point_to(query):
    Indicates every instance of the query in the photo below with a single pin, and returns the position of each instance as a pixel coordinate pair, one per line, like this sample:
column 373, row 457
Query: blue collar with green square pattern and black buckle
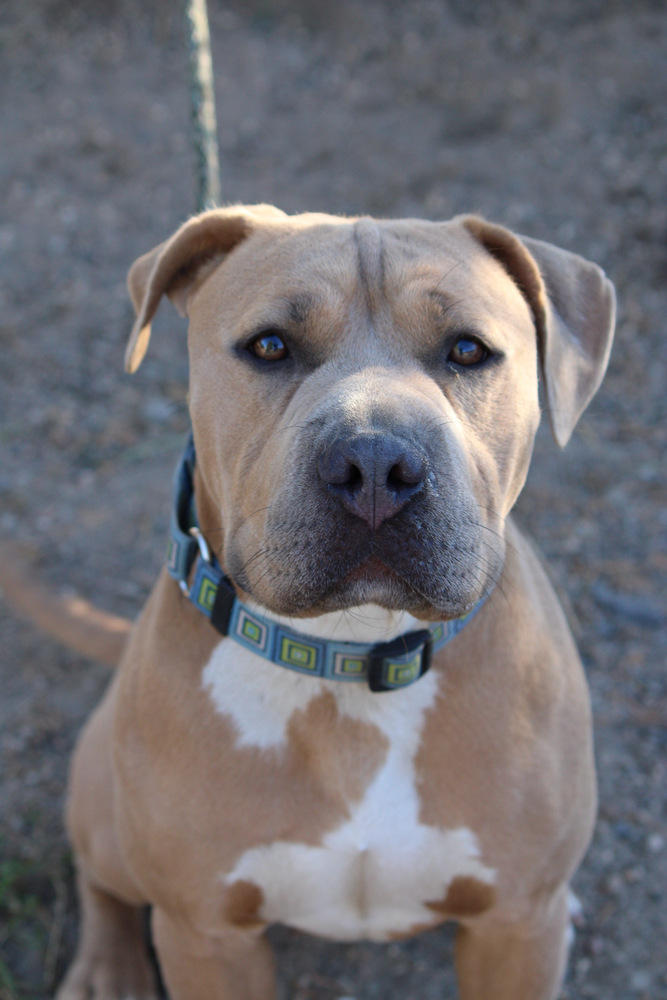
column 384, row 666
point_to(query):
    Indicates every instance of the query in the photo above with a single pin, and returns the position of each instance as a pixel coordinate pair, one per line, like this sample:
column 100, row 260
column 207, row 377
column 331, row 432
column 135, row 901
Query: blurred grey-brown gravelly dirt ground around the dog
column 546, row 116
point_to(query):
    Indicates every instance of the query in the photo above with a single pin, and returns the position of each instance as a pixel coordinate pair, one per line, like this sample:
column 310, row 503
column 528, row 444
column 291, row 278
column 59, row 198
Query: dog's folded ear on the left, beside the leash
column 176, row 267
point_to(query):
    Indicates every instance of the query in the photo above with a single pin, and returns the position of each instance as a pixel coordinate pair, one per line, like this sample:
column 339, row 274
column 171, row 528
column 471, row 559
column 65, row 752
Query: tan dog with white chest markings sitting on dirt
column 364, row 402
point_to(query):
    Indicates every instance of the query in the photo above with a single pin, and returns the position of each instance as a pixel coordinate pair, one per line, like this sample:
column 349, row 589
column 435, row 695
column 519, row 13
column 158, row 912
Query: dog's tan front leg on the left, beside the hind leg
column 237, row 965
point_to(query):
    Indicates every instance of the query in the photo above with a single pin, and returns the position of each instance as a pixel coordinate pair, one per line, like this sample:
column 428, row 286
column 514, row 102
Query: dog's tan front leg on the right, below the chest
column 515, row 961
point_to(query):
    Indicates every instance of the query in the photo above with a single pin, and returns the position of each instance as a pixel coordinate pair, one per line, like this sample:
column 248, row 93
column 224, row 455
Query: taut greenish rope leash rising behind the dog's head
column 205, row 132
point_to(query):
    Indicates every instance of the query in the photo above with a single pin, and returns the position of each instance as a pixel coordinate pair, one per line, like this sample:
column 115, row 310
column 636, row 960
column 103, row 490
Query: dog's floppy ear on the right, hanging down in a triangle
column 573, row 306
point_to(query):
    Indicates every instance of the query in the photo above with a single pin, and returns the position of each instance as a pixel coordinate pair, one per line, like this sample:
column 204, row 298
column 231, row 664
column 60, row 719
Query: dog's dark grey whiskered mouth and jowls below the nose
column 433, row 564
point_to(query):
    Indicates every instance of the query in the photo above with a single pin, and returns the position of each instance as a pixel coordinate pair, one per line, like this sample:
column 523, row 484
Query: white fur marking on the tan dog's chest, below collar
column 374, row 872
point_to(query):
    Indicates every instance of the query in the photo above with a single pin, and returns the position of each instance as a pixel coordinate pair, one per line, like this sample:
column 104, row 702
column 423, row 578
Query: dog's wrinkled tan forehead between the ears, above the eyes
column 413, row 273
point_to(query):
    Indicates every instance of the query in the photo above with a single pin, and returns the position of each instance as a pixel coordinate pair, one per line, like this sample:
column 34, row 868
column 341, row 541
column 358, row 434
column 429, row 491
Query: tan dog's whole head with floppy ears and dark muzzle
column 364, row 395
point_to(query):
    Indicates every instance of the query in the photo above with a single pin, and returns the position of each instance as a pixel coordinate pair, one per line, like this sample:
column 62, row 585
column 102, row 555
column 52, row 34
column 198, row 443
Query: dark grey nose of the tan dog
column 373, row 475
